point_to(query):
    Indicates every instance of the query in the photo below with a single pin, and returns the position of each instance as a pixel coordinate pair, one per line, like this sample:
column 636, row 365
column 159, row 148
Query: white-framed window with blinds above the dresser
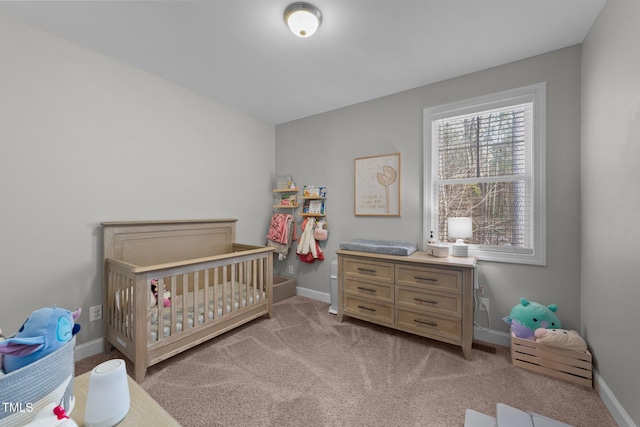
column 484, row 158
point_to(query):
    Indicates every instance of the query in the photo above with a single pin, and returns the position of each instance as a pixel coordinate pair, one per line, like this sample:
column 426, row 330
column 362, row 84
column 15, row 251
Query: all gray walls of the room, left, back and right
column 84, row 139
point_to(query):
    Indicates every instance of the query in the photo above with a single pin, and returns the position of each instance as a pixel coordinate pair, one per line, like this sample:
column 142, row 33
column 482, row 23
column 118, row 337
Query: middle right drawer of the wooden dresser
column 435, row 302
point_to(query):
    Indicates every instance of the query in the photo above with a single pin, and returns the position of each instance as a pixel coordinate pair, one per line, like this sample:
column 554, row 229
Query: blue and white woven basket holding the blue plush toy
column 24, row 392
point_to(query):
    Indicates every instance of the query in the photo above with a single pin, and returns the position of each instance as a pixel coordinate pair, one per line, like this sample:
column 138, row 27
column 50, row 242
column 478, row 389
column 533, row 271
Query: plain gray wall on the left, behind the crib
column 85, row 139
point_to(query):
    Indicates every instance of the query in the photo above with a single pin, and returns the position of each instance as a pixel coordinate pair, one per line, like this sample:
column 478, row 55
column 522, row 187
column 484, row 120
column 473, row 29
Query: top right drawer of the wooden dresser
column 429, row 278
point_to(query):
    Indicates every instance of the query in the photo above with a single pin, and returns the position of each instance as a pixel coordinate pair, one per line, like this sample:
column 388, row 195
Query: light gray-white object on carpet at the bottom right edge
column 508, row 416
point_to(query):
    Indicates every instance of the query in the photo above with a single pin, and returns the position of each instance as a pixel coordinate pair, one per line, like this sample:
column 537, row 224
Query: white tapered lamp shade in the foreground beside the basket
column 108, row 397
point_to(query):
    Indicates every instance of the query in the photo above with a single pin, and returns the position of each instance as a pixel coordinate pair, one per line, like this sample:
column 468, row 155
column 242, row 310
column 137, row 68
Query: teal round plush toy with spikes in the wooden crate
column 528, row 316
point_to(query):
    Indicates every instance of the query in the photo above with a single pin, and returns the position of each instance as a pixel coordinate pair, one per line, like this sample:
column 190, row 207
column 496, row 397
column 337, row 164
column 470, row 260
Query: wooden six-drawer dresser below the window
column 420, row 294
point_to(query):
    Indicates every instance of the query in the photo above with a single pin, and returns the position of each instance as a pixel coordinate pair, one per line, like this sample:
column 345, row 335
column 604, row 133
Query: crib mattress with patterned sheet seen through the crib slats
column 239, row 300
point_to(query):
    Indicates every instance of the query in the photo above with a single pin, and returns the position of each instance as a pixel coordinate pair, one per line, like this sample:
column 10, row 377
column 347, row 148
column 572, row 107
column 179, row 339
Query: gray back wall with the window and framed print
column 320, row 150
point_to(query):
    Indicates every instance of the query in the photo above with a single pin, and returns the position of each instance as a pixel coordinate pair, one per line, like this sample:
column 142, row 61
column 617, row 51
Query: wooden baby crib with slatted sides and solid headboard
column 215, row 286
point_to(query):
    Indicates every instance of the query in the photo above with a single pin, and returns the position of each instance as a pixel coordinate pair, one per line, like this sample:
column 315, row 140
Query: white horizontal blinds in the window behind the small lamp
column 484, row 171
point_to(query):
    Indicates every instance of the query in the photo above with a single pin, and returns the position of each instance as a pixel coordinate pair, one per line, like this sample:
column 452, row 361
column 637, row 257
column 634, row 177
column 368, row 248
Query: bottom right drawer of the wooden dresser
column 429, row 325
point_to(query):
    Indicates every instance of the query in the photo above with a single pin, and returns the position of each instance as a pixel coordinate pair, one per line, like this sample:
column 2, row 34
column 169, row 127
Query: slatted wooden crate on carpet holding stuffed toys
column 568, row 365
